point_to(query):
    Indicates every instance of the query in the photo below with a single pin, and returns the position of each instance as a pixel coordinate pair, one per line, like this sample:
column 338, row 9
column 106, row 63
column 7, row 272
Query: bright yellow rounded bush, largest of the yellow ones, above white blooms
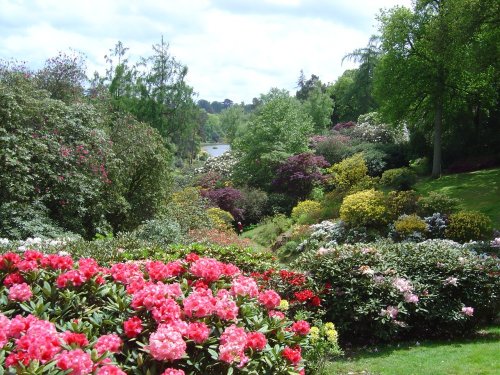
column 365, row 208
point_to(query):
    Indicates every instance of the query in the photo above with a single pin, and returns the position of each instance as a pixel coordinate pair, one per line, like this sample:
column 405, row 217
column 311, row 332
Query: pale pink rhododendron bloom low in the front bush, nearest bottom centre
column 166, row 344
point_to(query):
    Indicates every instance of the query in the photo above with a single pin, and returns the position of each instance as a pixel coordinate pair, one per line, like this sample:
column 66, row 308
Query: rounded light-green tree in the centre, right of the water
column 280, row 129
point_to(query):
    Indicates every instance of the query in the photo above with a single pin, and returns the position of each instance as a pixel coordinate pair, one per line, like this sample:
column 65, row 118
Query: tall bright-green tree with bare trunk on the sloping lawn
column 428, row 72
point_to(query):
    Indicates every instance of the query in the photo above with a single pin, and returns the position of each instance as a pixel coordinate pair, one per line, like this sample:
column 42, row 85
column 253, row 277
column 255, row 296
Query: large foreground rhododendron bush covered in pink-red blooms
column 190, row 316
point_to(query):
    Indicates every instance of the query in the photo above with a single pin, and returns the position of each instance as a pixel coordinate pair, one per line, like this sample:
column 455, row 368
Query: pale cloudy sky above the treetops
column 235, row 49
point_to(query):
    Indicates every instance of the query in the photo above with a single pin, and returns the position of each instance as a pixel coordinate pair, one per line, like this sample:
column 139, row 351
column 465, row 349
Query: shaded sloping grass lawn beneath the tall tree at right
column 478, row 191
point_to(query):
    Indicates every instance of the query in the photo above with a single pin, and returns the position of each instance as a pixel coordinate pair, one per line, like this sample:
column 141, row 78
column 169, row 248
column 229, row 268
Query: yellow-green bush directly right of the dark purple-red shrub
column 349, row 172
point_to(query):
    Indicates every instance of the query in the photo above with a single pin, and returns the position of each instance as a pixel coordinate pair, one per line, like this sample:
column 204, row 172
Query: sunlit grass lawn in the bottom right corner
column 477, row 355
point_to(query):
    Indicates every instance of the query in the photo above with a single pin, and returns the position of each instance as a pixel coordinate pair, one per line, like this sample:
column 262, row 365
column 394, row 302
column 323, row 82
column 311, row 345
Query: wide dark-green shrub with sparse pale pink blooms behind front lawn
column 425, row 286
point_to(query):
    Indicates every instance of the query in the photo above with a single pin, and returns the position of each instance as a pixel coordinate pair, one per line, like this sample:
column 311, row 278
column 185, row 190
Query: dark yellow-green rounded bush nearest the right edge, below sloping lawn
column 468, row 225
